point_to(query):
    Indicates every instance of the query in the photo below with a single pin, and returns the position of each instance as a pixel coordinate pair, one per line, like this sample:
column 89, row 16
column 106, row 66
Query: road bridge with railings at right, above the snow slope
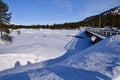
column 101, row 33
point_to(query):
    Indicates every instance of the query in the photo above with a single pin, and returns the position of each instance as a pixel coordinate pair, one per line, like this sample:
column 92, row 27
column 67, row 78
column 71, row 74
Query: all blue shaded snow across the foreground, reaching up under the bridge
column 81, row 61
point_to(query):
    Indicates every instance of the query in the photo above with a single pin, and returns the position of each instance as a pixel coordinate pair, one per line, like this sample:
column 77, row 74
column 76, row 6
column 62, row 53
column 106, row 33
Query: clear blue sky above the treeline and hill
column 29, row 12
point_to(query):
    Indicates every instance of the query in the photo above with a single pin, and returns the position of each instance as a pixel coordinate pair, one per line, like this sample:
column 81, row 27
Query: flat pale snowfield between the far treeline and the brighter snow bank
column 39, row 42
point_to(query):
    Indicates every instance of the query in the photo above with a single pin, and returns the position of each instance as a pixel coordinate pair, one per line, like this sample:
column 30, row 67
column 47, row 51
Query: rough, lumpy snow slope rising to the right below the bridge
column 102, row 57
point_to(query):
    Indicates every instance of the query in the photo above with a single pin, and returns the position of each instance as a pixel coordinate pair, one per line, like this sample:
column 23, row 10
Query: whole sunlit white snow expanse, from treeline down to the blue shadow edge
column 34, row 45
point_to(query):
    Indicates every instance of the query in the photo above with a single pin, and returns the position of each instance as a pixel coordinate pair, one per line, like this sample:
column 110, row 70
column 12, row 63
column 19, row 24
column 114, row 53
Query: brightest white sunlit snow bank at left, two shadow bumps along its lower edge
column 9, row 60
